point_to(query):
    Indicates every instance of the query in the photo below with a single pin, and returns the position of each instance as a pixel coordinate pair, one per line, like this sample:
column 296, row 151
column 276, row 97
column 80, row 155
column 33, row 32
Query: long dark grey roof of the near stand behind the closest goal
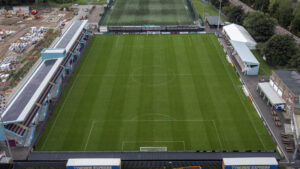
column 146, row 156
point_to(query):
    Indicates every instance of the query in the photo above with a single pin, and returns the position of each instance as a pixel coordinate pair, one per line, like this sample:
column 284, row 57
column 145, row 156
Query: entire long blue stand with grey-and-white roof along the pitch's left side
column 29, row 105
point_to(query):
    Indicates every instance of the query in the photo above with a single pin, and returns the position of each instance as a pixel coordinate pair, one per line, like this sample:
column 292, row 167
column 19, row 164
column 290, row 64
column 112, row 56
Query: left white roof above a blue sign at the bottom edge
column 94, row 162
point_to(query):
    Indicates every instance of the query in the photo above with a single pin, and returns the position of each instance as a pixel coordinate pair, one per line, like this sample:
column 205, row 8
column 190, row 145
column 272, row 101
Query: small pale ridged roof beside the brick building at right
column 270, row 93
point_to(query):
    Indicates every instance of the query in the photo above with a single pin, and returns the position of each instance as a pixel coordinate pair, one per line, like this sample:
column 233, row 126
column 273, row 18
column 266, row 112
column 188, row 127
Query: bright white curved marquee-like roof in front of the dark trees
column 239, row 33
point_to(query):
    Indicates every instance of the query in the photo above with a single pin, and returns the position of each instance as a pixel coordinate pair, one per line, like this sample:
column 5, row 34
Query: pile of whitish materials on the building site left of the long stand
column 29, row 39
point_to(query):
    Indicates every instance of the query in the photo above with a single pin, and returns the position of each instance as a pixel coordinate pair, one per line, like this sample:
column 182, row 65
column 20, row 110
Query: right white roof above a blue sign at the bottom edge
column 250, row 161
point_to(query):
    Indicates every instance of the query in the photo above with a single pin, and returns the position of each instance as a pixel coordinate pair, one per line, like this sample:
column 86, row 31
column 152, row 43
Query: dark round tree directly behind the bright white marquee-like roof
column 236, row 14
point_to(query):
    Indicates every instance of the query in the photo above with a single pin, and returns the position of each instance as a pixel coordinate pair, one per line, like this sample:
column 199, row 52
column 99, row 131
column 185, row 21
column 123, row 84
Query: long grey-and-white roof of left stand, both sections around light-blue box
column 21, row 104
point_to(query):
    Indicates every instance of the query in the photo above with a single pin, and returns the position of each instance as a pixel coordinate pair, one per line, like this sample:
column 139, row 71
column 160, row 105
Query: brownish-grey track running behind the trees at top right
column 278, row 29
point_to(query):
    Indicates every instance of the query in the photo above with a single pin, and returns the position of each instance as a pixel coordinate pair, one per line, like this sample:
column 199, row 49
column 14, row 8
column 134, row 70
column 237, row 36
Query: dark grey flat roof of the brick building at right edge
column 291, row 78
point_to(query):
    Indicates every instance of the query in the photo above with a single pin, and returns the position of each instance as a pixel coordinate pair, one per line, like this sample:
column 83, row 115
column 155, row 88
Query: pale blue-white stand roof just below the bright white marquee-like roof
column 244, row 52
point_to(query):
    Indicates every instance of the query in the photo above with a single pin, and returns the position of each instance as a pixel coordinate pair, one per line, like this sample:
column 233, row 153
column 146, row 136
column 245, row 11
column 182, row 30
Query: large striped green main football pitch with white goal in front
column 173, row 91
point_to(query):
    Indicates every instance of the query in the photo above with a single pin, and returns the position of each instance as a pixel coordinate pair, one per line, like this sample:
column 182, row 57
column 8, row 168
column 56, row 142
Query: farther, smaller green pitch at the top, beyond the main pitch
column 148, row 12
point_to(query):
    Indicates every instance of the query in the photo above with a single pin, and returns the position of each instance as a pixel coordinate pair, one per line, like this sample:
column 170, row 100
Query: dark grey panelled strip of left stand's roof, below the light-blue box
column 19, row 104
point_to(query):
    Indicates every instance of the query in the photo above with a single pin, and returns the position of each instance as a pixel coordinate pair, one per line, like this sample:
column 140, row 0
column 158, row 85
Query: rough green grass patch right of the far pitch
column 203, row 9
